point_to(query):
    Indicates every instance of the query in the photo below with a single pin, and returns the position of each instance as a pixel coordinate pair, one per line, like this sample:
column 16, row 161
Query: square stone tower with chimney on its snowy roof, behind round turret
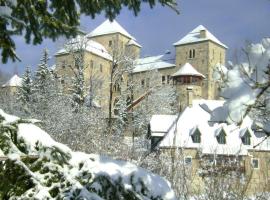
column 204, row 51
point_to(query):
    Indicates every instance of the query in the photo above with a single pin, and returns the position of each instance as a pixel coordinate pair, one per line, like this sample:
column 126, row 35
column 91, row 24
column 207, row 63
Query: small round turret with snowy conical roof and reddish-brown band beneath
column 188, row 82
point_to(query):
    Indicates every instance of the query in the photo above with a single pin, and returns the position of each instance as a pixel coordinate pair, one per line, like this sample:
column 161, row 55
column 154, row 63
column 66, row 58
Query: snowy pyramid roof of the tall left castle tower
column 108, row 27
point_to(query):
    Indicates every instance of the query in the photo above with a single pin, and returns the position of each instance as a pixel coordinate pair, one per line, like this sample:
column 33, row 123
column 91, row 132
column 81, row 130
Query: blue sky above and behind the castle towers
column 231, row 21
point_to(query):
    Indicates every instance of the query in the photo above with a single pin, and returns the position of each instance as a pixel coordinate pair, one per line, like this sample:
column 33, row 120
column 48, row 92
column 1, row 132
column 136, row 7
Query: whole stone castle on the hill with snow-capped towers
column 196, row 54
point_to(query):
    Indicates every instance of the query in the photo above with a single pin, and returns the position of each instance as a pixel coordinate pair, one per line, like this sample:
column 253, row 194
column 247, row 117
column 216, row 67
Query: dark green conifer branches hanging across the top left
column 41, row 19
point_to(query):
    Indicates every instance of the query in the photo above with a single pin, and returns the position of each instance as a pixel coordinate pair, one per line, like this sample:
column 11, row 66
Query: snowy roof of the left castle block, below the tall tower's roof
column 81, row 42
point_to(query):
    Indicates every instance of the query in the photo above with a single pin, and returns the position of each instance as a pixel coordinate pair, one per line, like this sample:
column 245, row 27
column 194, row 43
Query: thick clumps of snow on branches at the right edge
column 246, row 86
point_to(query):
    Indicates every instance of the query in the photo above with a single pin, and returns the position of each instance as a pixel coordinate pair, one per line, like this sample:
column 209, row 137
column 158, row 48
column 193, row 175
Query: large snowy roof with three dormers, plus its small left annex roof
column 197, row 117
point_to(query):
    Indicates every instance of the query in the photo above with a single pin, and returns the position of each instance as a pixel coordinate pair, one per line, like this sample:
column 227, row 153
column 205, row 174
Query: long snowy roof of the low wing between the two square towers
column 151, row 63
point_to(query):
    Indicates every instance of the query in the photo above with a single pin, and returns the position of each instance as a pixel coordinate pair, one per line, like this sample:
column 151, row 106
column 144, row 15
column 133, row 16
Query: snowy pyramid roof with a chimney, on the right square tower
column 194, row 36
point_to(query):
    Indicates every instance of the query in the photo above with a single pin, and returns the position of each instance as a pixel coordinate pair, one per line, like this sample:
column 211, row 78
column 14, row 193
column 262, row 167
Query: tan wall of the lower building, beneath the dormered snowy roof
column 196, row 173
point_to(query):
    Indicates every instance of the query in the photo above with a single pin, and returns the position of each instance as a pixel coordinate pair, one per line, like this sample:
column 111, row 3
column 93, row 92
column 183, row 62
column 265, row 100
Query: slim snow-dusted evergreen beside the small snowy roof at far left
column 25, row 91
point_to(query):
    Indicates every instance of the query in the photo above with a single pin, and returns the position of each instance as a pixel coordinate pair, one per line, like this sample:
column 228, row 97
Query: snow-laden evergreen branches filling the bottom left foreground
column 34, row 166
